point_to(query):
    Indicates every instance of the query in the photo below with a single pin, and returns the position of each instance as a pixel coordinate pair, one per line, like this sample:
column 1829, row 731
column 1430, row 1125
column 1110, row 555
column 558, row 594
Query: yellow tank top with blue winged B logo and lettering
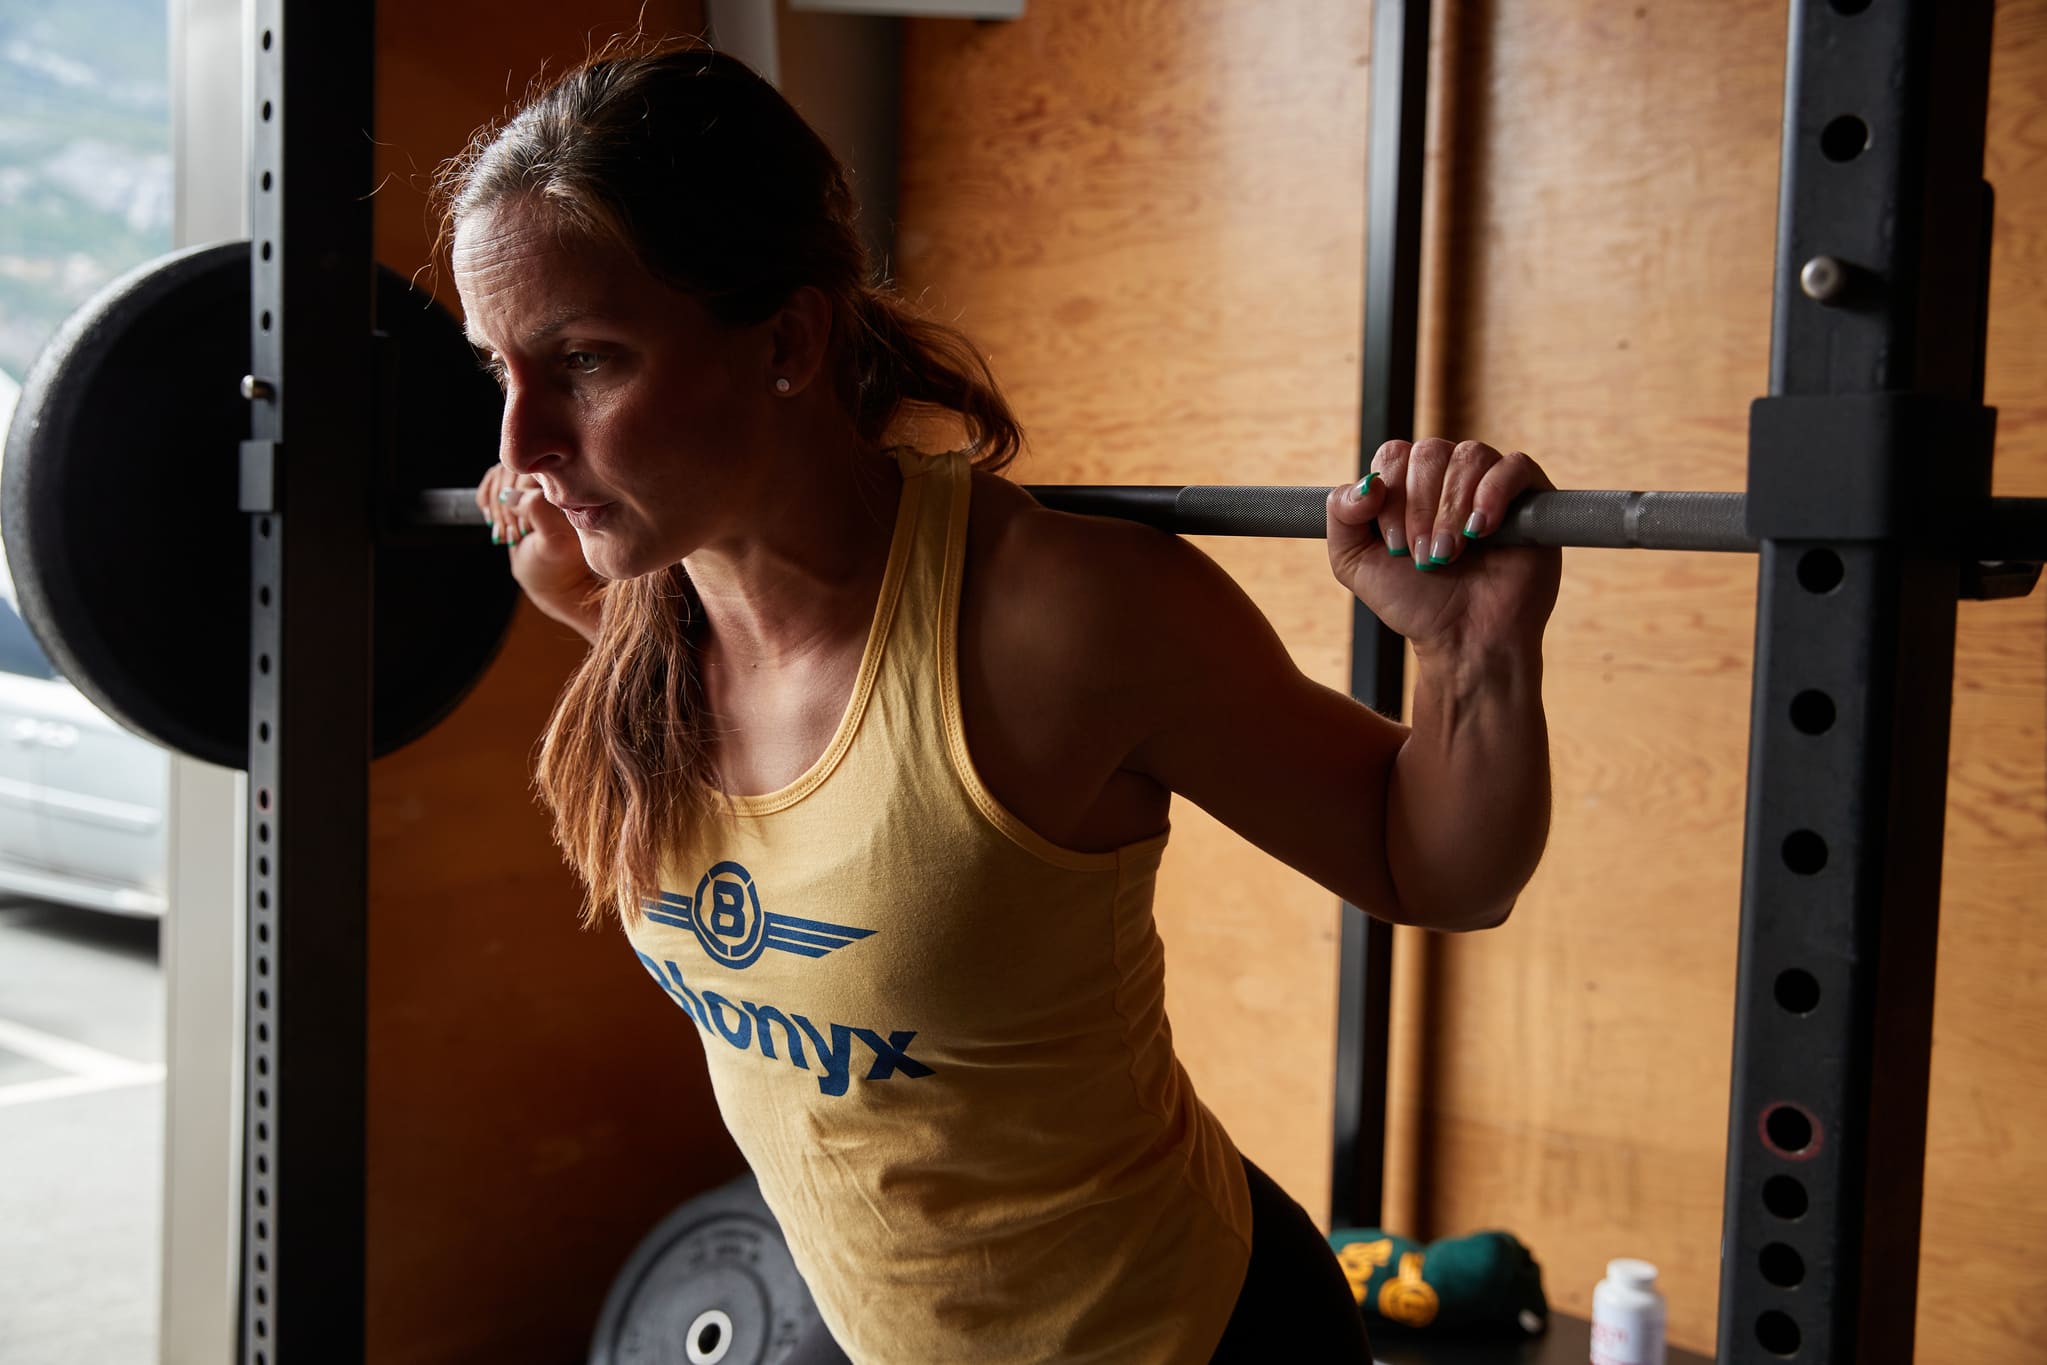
column 941, row 1041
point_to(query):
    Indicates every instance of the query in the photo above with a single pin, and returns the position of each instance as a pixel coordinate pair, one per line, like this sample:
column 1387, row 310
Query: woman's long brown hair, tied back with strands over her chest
column 720, row 187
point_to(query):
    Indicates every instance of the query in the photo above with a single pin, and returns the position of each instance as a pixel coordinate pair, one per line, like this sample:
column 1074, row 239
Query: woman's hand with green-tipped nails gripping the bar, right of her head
column 1413, row 545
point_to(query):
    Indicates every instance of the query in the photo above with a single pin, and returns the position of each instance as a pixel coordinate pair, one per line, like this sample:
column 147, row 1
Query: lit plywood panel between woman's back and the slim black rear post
column 1151, row 216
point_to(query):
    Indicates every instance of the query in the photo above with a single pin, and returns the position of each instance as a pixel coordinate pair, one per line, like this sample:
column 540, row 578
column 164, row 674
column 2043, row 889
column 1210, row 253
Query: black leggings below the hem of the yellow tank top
column 1295, row 1305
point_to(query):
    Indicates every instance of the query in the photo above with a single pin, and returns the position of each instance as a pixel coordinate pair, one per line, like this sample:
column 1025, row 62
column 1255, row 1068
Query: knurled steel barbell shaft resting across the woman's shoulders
column 1583, row 519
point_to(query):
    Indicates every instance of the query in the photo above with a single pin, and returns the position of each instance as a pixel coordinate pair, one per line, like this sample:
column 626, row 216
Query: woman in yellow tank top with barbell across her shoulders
column 873, row 756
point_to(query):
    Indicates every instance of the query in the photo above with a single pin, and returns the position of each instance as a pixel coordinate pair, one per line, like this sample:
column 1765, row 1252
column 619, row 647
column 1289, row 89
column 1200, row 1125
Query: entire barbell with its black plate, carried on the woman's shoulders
column 128, row 537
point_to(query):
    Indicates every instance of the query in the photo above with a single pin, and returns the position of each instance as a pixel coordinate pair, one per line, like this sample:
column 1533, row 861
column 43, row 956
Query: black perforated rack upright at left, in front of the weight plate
column 306, row 482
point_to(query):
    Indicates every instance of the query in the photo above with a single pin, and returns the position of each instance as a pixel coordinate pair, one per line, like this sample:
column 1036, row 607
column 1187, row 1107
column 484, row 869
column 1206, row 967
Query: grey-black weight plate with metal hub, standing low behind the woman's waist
column 711, row 1286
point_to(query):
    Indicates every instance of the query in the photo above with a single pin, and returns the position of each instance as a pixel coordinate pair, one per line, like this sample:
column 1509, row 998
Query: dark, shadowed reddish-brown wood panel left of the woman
column 535, row 1104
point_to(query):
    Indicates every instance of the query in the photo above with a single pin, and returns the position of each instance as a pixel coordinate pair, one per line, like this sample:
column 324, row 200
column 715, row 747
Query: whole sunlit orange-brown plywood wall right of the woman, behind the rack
column 1151, row 218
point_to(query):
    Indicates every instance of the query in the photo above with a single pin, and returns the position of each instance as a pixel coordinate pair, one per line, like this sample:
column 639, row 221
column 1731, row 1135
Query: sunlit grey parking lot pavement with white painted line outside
column 81, row 1137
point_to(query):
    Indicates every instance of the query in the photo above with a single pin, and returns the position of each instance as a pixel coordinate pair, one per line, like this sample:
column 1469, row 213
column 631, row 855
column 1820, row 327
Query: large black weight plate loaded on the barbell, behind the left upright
column 122, row 523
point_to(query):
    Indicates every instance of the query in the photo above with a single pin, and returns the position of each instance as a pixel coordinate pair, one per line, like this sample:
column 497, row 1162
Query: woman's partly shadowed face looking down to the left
column 634, row 408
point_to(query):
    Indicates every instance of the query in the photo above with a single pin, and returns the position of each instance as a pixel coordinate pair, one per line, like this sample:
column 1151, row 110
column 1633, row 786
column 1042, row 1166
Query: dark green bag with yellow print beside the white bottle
column 1485, row 1282
